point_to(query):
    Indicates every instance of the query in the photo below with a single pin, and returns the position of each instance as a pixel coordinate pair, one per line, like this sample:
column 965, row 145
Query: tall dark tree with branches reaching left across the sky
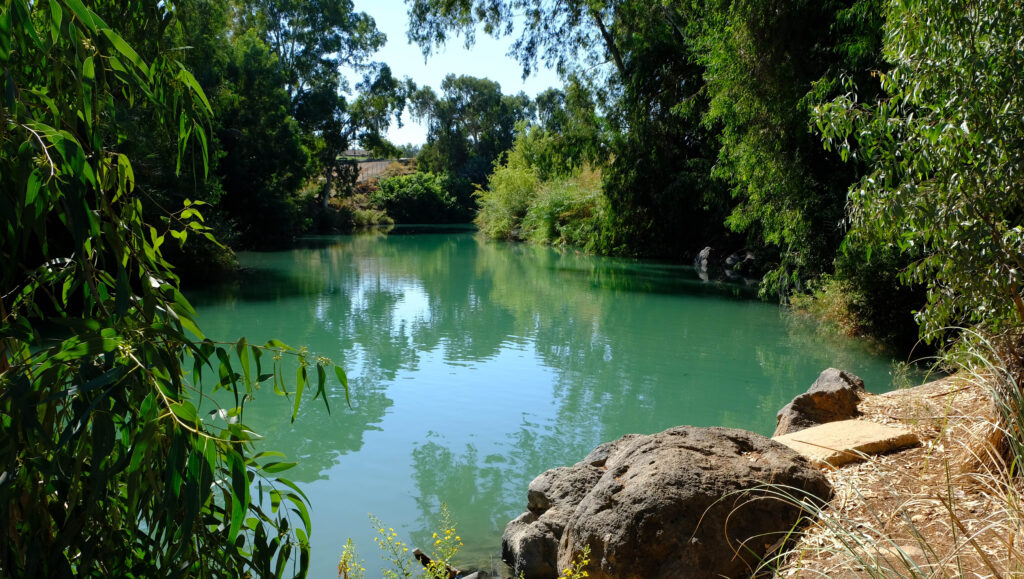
column 638, row 61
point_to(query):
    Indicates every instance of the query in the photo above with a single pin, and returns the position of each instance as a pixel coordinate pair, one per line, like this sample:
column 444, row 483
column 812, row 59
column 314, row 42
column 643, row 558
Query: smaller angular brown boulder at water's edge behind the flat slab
column 833, row 397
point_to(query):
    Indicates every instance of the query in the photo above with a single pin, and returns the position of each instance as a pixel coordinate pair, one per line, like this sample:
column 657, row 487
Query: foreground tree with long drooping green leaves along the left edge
column 110, row 464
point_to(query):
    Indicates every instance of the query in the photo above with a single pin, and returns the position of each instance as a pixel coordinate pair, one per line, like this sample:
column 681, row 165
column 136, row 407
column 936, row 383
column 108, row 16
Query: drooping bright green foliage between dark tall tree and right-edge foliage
column 764, row 64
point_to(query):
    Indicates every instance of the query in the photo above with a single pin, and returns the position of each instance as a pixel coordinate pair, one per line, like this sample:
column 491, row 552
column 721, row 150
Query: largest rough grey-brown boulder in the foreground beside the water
column 687, row 503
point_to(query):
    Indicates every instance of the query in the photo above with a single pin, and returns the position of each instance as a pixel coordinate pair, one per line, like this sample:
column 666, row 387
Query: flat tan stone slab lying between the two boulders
column 847, row 441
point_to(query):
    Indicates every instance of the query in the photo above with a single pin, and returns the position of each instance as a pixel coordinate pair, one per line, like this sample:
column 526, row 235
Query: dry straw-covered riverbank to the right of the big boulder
column 946, row 509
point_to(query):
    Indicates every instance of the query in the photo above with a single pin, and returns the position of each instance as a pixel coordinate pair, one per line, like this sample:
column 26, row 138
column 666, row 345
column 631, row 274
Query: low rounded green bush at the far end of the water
column 419, row 198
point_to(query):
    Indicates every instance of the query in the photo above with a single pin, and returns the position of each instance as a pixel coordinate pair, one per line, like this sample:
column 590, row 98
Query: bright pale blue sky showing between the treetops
column 487, row 60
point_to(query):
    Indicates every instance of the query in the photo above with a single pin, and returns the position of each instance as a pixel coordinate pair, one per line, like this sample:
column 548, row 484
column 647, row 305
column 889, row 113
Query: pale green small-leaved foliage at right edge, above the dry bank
column 945, row 151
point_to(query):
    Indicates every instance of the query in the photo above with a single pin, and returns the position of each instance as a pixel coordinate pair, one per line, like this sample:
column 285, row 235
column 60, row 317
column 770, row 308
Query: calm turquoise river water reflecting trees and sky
column 477, row 365
